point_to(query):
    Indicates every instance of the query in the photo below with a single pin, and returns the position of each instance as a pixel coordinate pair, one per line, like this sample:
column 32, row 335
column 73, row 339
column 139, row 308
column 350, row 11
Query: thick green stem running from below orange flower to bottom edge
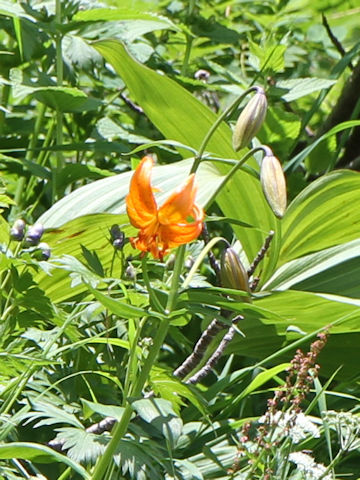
column 121, row 427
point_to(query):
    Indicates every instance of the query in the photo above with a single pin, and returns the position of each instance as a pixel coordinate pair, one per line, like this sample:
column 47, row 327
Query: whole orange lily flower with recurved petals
column 177, row 221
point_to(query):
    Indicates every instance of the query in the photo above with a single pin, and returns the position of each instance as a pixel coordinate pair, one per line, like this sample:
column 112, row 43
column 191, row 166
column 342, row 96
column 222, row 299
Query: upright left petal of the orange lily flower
column 141, row 204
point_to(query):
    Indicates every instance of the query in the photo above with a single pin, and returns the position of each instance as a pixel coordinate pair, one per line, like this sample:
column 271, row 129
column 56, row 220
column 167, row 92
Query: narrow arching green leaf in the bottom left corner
column 39, row 453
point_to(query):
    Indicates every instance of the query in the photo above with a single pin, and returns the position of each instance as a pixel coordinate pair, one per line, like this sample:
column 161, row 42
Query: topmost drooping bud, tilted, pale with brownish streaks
column 250, row 120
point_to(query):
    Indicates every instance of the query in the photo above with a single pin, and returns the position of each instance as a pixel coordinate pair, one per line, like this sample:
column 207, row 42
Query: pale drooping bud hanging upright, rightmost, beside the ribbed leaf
column 273, row 184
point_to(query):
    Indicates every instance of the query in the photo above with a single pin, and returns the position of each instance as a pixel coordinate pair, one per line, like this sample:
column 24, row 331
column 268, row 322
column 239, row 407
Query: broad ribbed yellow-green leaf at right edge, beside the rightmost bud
column 323, row 215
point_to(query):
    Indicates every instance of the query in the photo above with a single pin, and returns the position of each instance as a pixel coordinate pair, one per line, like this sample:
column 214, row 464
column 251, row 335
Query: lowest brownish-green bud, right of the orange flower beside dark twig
column 233, row 274
